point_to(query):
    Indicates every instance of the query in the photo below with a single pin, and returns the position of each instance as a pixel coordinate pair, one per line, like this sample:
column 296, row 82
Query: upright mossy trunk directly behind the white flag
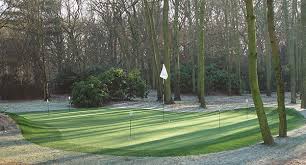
column 167, row 85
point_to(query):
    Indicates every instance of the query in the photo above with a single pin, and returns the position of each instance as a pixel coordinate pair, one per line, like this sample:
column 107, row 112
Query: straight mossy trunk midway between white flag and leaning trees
column 201, row 74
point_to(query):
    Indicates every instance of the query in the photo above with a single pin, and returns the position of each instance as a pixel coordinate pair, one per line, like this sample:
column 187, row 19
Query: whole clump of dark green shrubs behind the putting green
column 114, row 84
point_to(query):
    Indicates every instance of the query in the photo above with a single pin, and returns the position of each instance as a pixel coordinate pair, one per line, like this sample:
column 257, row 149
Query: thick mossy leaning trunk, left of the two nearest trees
column 253, row 77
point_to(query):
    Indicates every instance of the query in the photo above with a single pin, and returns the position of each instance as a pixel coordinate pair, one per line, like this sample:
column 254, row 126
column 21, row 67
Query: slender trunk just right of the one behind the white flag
column 176, row 55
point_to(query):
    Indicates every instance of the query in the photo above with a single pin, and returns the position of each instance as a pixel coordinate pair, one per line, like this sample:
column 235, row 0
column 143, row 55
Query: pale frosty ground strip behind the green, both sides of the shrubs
column 188, row 104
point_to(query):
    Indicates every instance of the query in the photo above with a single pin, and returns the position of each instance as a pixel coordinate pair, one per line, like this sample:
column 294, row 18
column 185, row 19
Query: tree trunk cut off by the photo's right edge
column 303, row 17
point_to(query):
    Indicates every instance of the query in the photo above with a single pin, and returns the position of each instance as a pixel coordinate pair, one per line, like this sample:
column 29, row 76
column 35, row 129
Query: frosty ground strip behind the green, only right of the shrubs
column 189, row 103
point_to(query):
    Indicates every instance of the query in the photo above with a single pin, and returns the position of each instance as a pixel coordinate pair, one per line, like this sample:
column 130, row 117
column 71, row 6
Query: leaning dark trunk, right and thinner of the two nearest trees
column 278, row 71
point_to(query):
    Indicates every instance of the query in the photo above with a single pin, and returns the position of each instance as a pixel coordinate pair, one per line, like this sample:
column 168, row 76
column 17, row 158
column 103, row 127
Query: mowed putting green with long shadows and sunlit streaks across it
column 107, row 131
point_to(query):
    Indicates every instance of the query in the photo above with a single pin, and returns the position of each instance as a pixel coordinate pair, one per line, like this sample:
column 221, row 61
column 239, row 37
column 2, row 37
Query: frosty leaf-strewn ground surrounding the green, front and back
column 292, row 150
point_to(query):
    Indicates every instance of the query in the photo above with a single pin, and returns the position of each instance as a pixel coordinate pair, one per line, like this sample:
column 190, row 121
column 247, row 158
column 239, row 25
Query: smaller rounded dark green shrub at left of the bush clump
column 89, row 93
